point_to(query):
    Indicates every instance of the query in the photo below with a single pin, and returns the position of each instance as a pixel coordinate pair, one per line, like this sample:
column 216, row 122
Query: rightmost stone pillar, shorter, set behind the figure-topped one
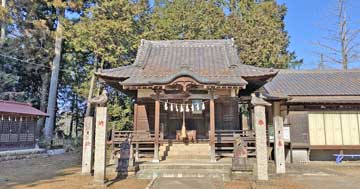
column 278, row 139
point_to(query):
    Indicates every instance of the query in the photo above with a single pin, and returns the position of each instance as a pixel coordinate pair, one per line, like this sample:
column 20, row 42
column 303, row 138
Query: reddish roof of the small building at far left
column 19, row 108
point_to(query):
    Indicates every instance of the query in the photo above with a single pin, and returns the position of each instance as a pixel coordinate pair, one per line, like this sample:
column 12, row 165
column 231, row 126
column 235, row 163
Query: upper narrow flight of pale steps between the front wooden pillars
column 184, row 151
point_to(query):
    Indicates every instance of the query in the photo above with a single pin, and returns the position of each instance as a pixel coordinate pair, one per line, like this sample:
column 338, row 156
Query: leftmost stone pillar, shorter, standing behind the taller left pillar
column 88, row 142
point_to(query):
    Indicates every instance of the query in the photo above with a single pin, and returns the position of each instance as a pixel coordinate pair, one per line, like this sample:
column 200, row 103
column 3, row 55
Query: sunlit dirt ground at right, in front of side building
column 314, row 175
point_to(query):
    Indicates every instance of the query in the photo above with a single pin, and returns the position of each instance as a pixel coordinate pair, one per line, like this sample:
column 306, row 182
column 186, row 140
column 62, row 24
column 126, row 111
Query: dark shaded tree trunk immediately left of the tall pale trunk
column 44, row 94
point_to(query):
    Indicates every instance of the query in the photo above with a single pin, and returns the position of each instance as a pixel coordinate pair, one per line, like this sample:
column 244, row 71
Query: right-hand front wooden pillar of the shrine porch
column 212, row 128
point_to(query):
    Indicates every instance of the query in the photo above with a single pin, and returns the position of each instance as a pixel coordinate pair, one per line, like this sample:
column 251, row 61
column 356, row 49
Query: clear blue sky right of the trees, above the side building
column 306, row 22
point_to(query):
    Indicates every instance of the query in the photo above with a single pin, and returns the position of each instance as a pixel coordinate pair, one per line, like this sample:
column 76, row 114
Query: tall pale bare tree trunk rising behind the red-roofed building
column 55, row 68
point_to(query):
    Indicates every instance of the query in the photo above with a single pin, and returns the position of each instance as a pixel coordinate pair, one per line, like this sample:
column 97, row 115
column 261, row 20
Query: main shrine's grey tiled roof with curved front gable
column 208, row 61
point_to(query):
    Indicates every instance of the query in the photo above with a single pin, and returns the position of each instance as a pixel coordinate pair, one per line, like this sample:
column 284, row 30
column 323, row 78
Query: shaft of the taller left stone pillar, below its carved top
column 100, row 145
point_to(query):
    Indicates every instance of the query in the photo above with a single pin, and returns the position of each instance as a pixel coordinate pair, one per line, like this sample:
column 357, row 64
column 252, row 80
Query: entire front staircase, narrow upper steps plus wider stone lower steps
column 185, row 161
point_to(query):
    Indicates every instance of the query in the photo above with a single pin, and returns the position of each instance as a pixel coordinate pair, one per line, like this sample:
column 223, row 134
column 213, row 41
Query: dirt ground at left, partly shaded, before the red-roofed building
column 55, row 172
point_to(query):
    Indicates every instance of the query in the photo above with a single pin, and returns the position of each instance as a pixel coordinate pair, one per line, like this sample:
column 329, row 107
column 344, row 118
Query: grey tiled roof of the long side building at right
column 315, row 83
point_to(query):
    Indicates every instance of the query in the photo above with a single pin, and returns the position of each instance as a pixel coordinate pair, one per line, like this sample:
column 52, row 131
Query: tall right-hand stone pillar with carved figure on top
column 260, row 132
